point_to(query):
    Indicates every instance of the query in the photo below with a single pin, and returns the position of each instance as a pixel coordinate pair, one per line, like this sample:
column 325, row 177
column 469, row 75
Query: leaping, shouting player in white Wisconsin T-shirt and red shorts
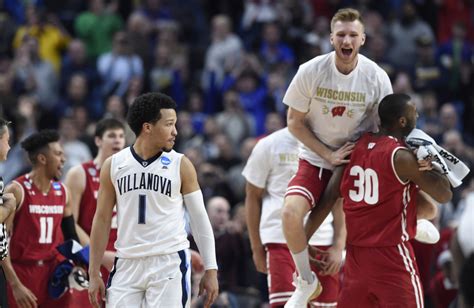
column 332, row 100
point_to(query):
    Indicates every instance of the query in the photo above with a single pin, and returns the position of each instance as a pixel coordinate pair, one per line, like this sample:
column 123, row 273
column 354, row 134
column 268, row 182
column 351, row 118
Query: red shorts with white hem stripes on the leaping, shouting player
column 309, row 182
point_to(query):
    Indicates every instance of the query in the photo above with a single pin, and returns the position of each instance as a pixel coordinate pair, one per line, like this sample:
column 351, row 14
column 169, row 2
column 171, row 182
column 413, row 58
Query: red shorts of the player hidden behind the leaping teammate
column 280, row 277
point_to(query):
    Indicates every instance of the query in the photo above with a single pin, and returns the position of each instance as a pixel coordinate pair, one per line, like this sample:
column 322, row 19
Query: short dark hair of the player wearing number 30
column 391, row 108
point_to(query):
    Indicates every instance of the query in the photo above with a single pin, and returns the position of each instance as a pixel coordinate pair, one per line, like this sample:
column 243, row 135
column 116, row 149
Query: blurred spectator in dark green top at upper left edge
column 96, row 27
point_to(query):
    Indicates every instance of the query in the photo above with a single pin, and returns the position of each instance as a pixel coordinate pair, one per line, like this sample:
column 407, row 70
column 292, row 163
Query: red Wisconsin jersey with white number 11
column 37, row 225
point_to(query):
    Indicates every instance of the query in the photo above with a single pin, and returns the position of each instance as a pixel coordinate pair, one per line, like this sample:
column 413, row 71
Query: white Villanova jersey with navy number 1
column 150, row 208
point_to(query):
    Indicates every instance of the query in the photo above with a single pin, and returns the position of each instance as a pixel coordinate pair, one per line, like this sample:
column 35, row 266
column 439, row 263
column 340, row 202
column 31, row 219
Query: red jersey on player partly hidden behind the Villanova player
column 89, row 202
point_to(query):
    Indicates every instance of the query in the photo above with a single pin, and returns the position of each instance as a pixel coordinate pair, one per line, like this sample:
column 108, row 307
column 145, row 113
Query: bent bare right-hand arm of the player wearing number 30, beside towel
column 433, row 183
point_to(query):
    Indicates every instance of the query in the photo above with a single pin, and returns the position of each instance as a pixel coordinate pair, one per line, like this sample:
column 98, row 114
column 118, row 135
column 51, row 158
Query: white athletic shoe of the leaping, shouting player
column 304, row 292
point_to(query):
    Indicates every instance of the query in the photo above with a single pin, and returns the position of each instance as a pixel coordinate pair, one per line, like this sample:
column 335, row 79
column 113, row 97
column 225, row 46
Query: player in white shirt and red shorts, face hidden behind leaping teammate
column 269, row 168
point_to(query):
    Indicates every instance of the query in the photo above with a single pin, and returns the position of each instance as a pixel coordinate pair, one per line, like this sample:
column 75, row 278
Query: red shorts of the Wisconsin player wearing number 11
column 35, row 276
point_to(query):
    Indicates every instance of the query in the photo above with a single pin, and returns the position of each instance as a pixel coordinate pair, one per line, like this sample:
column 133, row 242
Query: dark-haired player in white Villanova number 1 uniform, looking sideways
column 150, row 183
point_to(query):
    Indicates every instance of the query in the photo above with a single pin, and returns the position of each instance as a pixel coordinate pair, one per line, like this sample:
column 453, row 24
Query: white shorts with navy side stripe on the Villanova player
column 155, row 281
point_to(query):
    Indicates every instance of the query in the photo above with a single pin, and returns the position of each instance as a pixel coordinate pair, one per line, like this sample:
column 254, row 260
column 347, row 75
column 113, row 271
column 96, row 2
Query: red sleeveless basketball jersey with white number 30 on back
column 380, row 209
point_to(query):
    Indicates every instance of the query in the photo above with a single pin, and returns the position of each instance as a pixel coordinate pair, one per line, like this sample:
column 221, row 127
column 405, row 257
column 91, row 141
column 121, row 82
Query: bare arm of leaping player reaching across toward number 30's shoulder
column 299, row 128
